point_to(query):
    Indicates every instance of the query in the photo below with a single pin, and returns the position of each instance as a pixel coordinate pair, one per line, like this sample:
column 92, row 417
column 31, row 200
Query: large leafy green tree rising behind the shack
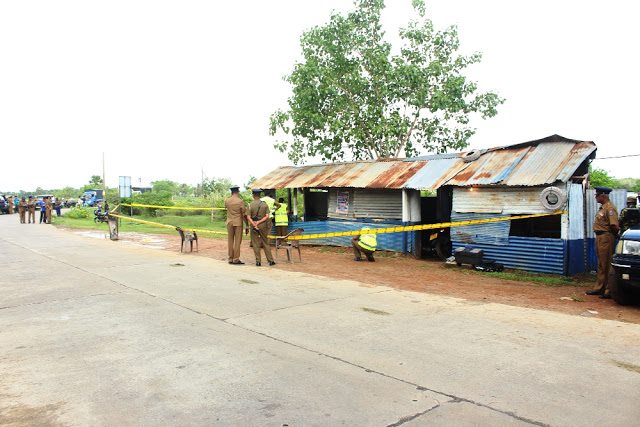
column 351, row 95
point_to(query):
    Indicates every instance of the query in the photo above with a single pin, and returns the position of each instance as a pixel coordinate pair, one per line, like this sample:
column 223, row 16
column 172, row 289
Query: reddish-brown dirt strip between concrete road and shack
column 407, row 273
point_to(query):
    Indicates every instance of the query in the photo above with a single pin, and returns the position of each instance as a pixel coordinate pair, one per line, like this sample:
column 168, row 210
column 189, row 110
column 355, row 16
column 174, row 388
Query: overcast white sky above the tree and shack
column 177, row 90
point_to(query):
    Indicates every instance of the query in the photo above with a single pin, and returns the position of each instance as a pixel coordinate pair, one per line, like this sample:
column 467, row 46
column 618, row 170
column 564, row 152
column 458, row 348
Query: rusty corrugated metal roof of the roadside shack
column 534, row 163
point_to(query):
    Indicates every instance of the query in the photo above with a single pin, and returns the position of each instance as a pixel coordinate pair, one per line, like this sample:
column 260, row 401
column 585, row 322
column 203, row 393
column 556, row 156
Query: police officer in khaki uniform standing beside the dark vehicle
column 605, row 227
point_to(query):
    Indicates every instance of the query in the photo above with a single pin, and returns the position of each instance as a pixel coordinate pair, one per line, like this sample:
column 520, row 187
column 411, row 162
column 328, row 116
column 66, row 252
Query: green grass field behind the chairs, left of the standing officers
column 200, row 222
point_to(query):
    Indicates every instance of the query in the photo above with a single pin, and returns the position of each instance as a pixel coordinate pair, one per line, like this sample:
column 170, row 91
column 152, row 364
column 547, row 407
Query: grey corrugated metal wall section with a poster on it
column 367, row 203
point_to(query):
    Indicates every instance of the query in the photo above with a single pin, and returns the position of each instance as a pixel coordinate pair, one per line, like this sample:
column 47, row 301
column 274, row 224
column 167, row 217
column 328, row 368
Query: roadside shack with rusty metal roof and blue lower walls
column 535, row 177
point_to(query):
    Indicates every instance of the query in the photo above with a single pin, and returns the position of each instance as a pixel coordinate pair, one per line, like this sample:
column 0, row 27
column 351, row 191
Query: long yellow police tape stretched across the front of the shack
column 385, row 230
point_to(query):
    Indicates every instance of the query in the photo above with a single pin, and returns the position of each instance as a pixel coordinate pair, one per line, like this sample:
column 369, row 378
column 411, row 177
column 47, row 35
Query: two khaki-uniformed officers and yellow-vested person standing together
column 257, row 220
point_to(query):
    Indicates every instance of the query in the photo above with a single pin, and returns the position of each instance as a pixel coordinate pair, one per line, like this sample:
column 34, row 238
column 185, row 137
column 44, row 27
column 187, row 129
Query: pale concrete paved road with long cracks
column 94, row 332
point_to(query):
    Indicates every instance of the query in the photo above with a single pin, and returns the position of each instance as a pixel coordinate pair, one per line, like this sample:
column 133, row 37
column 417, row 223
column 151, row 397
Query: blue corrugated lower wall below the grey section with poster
column 397, row 242
